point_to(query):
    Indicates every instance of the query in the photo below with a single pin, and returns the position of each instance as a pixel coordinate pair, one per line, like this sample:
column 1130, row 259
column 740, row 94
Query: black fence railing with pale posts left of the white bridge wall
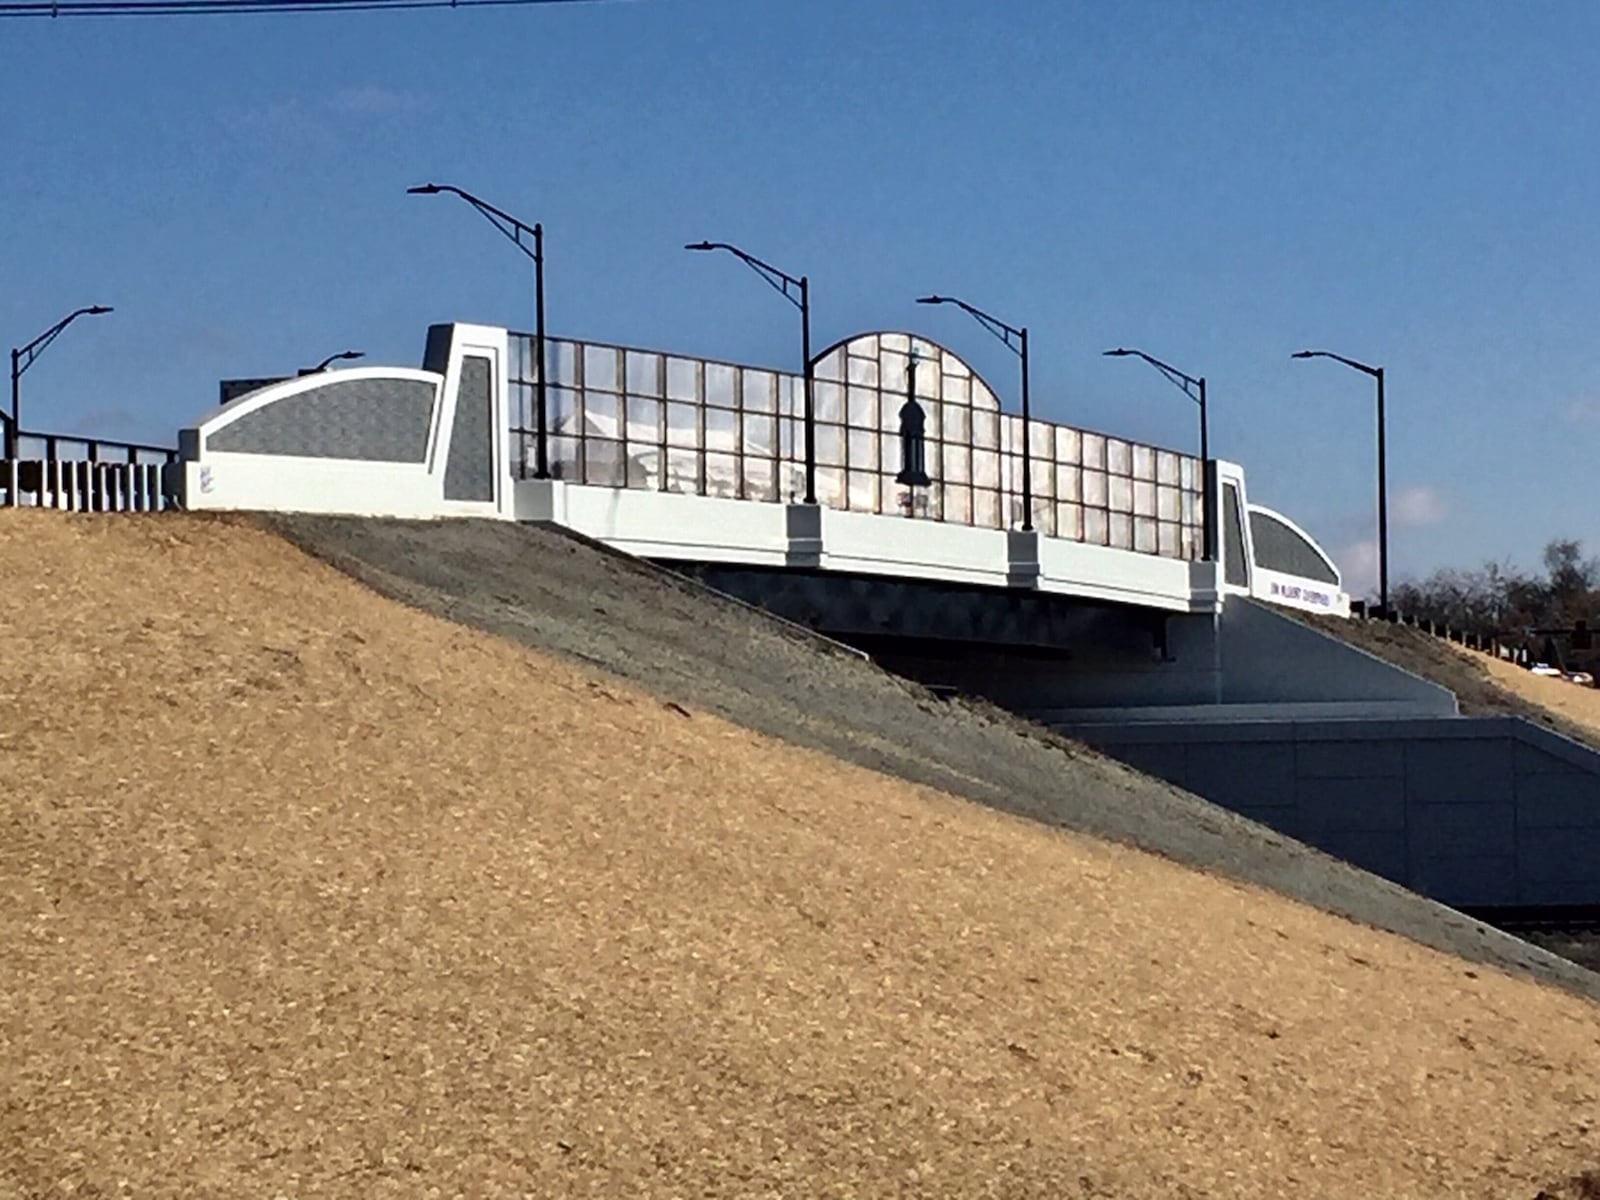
column 87, row 474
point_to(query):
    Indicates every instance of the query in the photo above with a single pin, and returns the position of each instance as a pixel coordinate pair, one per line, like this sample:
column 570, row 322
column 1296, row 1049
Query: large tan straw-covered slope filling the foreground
column 305, row 894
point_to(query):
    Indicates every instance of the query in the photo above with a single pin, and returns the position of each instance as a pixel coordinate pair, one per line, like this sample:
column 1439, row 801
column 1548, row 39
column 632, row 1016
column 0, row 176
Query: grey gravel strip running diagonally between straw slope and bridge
column 553, row 591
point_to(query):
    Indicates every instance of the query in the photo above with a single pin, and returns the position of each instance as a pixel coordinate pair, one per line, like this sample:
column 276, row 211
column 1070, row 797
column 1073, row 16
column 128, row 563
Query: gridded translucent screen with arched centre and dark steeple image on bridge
column 903, row 426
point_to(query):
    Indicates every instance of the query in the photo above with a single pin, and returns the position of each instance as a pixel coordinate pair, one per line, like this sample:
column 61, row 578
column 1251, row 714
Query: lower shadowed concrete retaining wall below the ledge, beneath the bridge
column 1471, row 812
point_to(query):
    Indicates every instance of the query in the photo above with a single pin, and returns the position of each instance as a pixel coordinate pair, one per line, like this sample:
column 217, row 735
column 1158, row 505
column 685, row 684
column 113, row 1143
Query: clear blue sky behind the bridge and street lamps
column 1218, row 185
